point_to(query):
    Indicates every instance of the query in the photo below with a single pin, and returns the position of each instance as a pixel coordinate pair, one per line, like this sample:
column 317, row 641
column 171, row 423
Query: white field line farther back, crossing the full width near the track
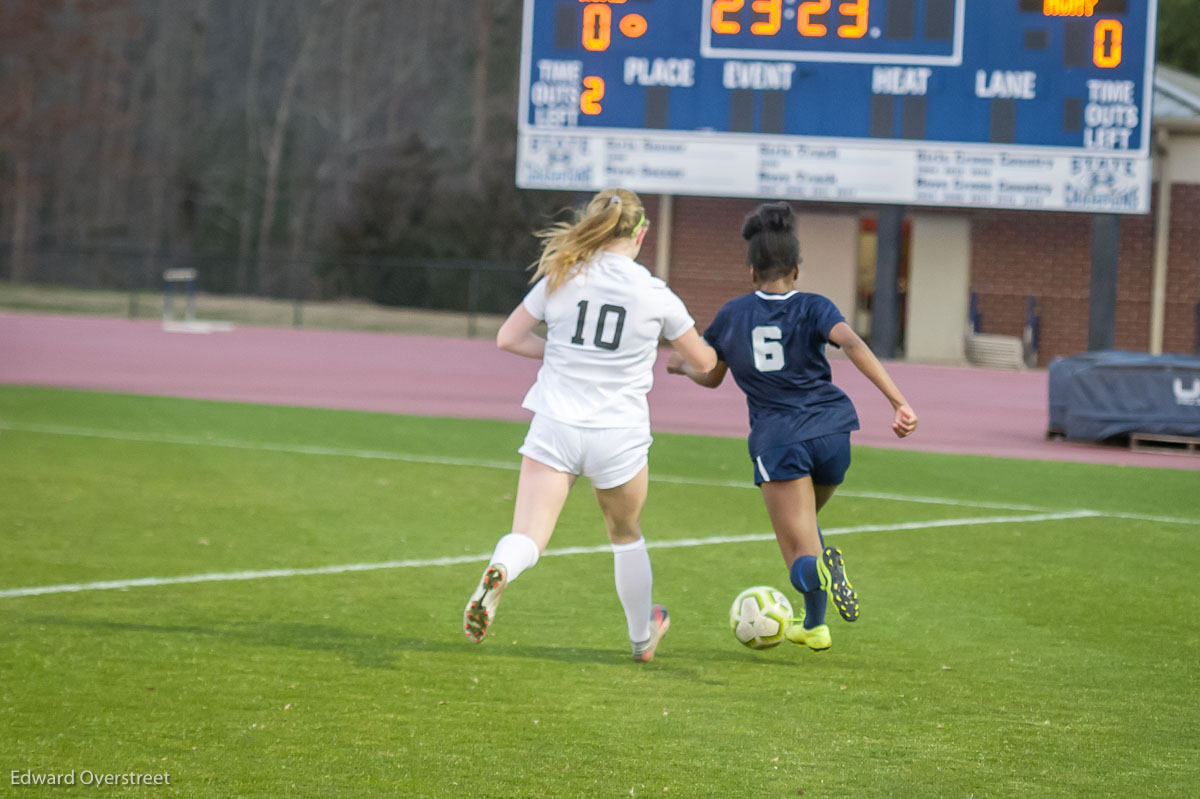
column 514, row 466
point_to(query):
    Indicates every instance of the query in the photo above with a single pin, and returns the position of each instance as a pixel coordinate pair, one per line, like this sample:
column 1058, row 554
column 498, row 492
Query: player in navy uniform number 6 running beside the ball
column 773, row 341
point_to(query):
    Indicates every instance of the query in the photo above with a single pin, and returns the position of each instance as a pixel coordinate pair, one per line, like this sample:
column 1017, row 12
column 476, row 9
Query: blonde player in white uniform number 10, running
column 605, row 315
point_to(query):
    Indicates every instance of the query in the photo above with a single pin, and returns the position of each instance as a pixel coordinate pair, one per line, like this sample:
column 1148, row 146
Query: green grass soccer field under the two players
column 1028, row 629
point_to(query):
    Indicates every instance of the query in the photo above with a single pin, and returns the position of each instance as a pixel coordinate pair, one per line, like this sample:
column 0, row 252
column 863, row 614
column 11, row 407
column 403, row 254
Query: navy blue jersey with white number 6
column 775, row 346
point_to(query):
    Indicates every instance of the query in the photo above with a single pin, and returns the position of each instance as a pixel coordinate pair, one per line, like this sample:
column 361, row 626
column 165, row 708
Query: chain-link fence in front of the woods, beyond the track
column 307, row 291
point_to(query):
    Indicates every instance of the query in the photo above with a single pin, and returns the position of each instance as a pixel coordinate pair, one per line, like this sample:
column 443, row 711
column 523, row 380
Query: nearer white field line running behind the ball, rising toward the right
column 267, row 574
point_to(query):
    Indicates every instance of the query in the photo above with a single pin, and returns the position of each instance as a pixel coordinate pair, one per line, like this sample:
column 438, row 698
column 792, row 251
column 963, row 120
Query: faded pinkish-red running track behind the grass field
column 964, row 411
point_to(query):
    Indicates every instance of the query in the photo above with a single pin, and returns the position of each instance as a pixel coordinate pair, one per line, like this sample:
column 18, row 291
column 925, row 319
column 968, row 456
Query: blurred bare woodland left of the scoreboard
column 242, row 127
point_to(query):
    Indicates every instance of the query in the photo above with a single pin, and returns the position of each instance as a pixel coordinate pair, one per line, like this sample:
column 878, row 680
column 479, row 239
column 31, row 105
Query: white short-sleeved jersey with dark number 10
column 603, row 335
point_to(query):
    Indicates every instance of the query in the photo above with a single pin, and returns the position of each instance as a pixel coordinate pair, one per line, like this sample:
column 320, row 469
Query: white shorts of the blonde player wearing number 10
column 608, row 456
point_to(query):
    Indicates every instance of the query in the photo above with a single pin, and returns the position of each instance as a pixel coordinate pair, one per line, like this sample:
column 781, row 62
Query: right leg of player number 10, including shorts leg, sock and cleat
column 622, row 483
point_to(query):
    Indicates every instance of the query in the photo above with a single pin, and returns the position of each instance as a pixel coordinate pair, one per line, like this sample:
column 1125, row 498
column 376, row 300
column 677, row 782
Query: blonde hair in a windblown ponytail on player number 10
column 567, row 247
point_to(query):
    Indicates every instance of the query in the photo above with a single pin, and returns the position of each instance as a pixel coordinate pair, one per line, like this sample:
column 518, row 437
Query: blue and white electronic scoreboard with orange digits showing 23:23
column 989, row 104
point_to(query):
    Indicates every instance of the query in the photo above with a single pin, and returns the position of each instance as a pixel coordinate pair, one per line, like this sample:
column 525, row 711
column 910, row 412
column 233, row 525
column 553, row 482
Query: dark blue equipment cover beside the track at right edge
column 1095, row 397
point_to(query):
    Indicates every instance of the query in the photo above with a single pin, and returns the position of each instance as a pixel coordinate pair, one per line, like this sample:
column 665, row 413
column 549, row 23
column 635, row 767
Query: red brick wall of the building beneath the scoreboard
column 1015, row 255
